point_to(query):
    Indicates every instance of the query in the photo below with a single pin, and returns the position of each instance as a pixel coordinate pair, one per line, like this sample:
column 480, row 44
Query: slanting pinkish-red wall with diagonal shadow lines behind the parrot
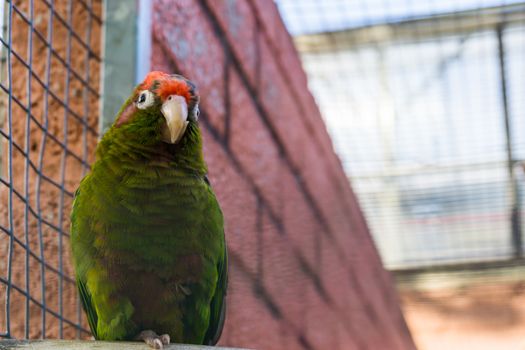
column 304, row 272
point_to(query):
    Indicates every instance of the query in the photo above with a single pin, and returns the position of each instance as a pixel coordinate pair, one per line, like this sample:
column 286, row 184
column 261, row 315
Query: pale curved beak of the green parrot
column 175, row 111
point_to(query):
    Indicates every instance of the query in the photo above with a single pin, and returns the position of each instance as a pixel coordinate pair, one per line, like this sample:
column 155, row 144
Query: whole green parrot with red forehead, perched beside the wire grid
column 147, row 232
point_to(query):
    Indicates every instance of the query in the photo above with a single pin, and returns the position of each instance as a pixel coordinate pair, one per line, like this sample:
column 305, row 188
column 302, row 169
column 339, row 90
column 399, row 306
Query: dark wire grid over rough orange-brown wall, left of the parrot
column 49, row 83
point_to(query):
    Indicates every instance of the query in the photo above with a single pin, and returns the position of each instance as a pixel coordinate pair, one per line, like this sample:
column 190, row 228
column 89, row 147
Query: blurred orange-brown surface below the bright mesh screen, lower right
column 484, row 312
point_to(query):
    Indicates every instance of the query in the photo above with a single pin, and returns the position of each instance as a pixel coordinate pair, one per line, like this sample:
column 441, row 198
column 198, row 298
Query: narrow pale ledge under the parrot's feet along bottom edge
column 91, row 344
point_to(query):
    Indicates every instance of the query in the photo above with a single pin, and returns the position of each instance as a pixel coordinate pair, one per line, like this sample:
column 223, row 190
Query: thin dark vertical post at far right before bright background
column 514, row 195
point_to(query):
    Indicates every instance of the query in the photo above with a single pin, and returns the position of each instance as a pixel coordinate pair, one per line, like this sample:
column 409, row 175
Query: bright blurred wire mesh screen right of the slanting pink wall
column 418, row 97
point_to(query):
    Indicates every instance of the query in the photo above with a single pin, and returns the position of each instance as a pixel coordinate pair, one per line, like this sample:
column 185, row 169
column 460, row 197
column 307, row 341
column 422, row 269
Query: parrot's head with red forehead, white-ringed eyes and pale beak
column 161, row 108
